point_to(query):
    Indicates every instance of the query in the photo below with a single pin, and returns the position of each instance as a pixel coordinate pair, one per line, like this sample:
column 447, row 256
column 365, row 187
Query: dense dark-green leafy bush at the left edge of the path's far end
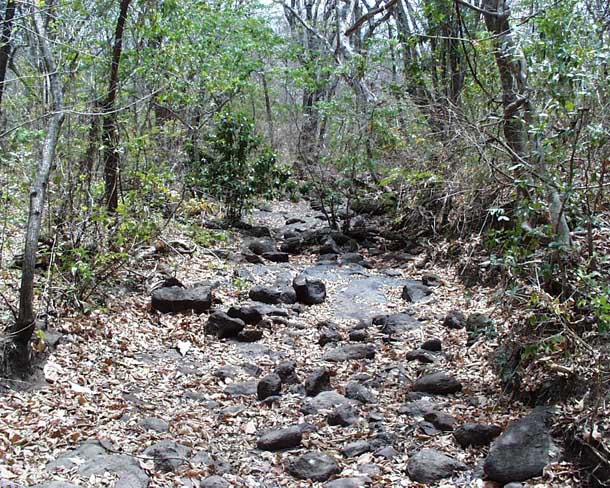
column 236, row 166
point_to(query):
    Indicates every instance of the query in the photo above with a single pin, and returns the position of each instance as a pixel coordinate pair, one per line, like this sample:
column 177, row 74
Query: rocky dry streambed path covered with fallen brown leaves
column 293, row 357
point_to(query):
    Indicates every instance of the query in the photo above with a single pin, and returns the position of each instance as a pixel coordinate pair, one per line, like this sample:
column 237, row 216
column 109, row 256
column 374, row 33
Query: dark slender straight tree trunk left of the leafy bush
column 110, row 132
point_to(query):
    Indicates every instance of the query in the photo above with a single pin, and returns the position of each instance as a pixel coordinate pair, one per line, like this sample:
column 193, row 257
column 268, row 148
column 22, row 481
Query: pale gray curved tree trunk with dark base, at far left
column 24, row 326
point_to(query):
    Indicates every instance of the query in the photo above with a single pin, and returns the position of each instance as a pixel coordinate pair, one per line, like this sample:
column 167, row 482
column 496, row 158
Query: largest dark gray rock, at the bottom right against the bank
column 522, row 451
